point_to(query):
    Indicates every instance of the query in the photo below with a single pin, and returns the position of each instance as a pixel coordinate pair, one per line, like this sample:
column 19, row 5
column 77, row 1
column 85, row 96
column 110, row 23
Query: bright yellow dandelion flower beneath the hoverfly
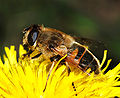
column 27, row 79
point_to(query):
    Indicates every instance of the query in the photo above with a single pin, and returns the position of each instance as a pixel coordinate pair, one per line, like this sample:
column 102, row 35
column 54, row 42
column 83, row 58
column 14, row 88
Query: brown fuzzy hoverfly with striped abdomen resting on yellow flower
column 54, row 44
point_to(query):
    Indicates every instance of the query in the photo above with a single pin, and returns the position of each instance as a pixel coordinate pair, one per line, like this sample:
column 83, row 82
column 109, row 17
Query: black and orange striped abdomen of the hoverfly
column 81, row 57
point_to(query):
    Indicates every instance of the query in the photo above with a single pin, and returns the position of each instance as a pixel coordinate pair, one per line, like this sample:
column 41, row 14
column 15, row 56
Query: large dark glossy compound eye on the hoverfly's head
column 32, row 38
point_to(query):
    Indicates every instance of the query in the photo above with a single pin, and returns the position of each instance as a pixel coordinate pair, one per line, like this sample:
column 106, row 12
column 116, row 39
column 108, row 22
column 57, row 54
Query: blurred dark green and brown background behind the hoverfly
column 94, row 19
